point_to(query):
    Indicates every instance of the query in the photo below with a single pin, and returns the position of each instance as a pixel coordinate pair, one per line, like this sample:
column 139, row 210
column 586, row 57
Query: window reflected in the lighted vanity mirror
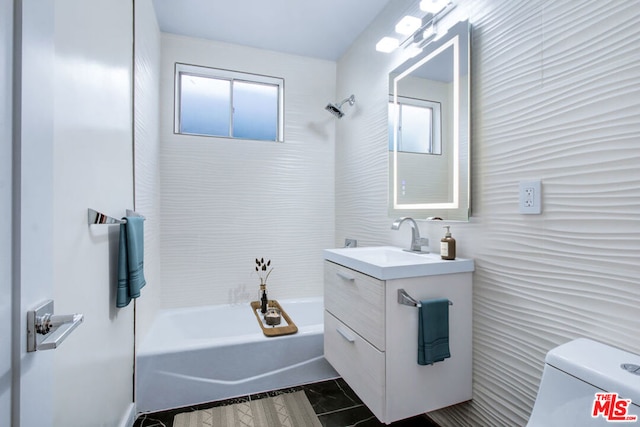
column 418, row 126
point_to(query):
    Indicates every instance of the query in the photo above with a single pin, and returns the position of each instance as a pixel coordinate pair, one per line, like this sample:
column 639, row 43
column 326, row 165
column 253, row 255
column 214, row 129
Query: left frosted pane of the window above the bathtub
column 205, row 105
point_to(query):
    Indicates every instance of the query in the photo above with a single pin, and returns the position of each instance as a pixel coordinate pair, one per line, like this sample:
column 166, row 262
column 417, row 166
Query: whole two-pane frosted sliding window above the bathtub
column 229, row 104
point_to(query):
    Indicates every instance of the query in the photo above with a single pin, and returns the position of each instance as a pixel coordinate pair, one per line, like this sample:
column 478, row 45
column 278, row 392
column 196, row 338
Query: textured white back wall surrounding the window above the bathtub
column 226, row 202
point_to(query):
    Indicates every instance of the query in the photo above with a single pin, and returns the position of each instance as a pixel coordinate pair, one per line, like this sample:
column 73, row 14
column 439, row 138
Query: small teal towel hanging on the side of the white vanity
column 433, row 331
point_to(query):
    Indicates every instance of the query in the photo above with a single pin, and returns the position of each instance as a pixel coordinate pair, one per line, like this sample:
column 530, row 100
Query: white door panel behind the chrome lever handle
column 32, row 203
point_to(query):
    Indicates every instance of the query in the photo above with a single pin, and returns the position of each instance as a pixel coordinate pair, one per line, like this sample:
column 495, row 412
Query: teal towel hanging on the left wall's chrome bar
column 130, row 261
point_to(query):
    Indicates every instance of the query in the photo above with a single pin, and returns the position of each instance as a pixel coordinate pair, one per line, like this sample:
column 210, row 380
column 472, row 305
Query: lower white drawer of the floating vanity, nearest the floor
column 358, row 362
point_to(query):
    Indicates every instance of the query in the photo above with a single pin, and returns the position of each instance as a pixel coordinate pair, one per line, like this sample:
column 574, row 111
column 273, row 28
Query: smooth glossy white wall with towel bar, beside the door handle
column 93, row 168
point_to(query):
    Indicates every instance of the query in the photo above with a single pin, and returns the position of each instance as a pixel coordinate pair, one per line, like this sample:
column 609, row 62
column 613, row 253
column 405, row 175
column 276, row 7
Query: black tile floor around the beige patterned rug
column 333, row 401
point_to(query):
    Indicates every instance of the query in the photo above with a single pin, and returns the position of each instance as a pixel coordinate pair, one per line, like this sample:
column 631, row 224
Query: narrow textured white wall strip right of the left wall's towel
column 147, row 155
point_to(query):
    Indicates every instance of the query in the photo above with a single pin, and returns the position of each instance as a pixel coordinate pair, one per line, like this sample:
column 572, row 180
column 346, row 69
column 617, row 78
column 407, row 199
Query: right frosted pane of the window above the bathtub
column 255, row 113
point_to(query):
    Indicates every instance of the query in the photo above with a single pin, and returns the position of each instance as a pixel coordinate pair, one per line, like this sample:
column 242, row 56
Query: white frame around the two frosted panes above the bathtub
column 228, row 75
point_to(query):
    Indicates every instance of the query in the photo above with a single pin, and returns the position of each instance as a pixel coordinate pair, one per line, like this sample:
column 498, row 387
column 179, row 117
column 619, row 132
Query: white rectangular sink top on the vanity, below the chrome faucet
column 389, row 262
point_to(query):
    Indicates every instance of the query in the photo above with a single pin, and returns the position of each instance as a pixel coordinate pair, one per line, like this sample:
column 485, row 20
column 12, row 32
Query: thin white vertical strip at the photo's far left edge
column 6, row 67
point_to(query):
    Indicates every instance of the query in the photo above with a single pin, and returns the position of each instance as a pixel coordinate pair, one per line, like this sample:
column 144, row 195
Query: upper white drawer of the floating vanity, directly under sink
column 357, row 300
